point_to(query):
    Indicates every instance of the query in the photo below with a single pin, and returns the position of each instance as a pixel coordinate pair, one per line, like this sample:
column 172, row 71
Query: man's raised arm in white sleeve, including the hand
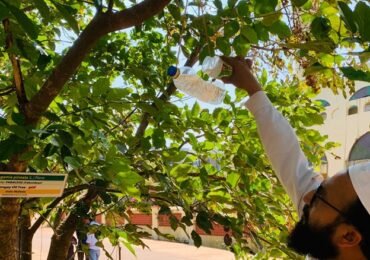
column 278, row 138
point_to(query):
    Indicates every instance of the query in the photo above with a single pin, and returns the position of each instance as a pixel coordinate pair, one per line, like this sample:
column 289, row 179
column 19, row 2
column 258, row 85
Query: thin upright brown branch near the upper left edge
column 17, row 73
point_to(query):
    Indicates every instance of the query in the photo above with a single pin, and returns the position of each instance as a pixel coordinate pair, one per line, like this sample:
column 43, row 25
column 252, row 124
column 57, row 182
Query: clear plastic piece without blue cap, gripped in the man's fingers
column 215, row 67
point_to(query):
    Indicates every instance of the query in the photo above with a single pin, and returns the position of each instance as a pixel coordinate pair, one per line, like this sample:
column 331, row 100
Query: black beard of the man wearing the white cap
column 308, row 240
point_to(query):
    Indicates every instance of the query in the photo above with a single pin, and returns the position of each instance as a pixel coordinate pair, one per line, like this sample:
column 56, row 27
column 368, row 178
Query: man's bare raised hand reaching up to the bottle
column 242, row 76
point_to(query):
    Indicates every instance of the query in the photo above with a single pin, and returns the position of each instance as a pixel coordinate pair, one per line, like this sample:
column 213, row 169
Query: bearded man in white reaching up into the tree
column 335, row 213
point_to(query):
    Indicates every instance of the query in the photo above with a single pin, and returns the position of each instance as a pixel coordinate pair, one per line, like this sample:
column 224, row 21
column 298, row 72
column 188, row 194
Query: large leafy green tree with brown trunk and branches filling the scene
column 63, row 110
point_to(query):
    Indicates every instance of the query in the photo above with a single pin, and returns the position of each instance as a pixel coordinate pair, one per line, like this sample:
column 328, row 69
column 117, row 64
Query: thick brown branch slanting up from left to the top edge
column 102, row 24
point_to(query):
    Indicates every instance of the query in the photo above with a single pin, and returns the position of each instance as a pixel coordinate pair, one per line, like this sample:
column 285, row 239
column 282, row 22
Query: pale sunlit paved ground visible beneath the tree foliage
column 159, row 250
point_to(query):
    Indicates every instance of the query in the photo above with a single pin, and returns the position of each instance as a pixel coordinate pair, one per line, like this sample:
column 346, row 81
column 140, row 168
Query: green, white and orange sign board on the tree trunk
column 17, row 184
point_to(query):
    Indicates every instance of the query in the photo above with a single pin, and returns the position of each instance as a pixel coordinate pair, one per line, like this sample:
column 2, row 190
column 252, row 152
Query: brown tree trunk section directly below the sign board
column 9, row 212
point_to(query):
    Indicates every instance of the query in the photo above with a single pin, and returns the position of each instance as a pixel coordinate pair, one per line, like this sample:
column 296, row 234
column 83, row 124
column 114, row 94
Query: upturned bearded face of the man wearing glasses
column 313, row 234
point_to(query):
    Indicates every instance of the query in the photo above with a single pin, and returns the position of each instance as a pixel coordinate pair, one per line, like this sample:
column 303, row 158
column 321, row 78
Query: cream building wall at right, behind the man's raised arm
column 343, row 128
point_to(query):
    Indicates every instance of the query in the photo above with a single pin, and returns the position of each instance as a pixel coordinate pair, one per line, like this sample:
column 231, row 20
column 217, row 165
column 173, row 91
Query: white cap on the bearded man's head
column 360, row 177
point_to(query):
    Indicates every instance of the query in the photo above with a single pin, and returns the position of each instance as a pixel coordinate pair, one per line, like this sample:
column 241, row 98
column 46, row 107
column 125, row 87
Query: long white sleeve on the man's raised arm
column 283, row 150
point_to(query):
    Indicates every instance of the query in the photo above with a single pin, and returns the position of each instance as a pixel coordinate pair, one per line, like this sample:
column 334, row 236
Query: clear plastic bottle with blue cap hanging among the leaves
column 187, row 80
